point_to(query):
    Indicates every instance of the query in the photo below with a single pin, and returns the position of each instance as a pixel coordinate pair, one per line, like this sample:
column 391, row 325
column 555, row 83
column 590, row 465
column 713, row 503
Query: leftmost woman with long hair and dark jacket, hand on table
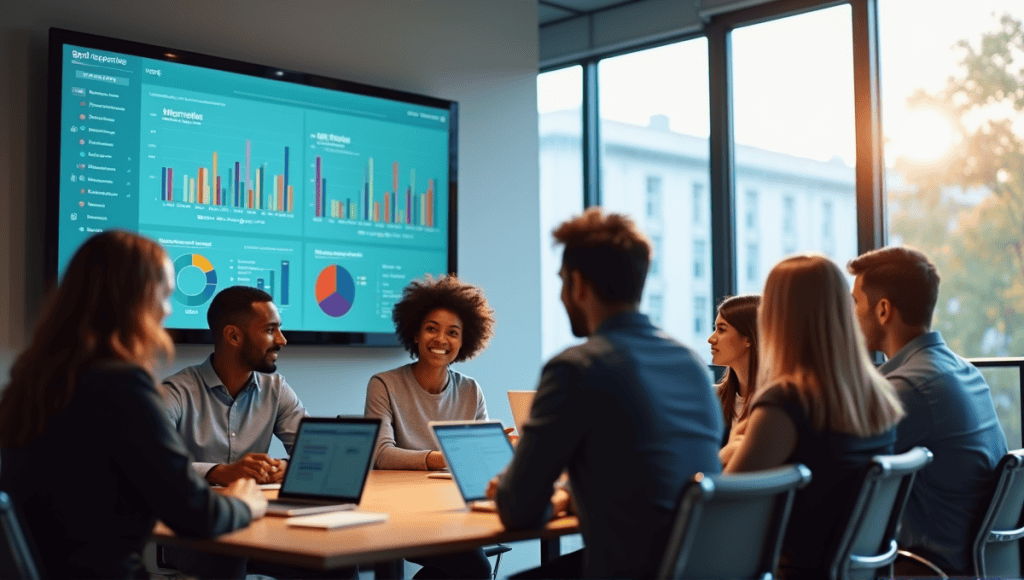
column 89, row 457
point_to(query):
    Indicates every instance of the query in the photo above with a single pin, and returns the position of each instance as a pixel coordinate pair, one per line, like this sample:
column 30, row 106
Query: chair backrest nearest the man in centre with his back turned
column 732, row 526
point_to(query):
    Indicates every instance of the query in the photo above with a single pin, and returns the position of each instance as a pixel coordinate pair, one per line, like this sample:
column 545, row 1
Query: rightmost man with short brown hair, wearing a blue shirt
column 949, row 404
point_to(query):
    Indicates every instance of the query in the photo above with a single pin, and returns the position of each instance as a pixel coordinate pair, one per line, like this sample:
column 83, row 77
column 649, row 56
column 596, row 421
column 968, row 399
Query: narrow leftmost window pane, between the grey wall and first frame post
column 560, row 99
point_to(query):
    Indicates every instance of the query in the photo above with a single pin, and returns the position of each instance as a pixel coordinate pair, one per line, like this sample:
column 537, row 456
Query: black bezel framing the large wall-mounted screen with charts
column 60, row 37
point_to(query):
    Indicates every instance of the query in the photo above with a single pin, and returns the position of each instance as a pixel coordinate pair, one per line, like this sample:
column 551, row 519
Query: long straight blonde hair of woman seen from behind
column 810, row 339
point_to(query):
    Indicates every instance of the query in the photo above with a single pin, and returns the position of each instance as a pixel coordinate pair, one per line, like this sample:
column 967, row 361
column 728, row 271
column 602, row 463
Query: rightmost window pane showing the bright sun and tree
column 954, row 128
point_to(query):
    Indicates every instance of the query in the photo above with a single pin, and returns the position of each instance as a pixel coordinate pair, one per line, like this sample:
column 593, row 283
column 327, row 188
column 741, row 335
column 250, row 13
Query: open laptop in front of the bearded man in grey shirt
column 328, row 471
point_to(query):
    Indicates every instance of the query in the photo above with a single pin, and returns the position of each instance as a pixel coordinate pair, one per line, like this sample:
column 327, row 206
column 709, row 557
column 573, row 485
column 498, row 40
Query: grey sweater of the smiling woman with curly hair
column 405, row 409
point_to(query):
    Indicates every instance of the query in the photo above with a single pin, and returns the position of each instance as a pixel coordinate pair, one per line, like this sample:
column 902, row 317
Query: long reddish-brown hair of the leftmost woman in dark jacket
column 106, row 309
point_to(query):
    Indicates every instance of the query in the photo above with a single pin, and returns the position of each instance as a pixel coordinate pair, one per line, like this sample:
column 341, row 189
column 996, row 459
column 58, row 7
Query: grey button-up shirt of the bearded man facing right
column 218, row 429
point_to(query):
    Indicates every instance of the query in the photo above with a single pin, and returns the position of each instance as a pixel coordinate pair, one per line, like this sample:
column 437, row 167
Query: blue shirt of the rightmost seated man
column 949, row 410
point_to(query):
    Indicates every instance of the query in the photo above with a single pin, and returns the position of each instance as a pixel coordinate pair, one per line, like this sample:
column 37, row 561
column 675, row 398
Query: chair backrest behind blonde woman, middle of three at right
column 869, row 538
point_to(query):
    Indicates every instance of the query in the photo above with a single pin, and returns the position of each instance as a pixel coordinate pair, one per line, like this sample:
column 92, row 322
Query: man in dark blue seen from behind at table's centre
column 630, row 413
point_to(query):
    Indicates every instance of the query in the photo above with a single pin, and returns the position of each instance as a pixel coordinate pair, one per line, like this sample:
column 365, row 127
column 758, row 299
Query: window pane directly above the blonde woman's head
column 794, row 117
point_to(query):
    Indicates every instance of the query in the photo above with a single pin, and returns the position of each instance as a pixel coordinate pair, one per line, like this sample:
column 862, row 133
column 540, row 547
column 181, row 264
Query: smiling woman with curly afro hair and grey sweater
column 440, row 322
